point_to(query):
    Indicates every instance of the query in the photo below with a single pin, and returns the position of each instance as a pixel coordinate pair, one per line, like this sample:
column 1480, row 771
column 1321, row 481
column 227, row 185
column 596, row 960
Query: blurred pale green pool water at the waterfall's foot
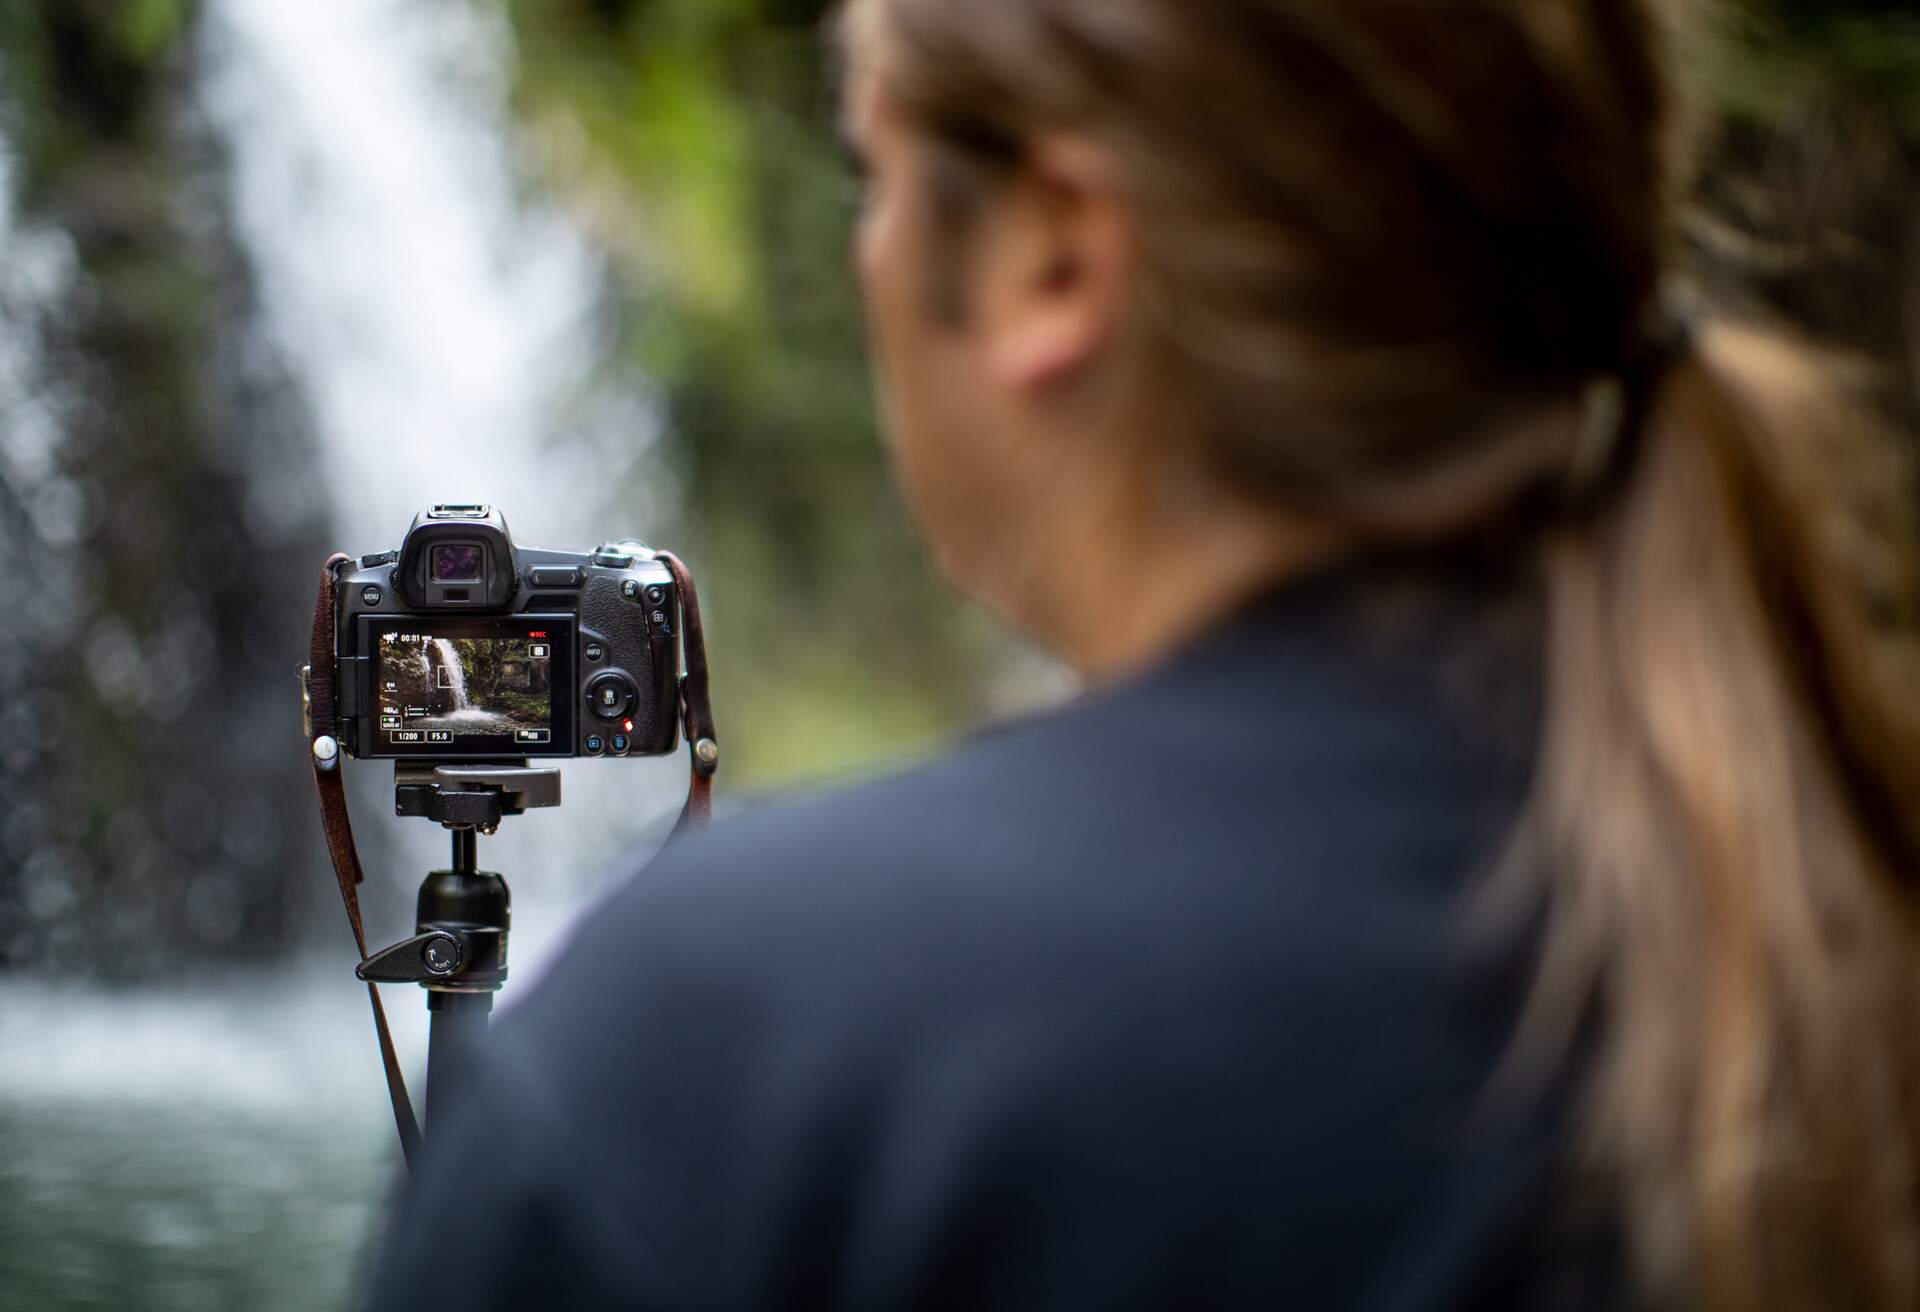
column 204, row 1146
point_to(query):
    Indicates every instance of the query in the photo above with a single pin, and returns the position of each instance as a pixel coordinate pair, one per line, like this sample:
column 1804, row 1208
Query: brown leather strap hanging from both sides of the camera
column 696, row 716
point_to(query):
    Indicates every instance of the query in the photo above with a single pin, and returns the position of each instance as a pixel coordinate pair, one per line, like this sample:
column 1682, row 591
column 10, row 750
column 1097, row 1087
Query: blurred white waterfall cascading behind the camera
column 448, row 335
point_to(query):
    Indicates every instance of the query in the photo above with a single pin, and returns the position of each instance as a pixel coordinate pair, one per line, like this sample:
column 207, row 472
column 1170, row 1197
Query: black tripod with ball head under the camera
column 460, row 946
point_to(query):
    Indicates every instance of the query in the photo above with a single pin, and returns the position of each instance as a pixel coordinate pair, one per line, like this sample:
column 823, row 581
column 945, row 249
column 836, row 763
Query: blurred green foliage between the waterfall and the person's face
column 698, row 141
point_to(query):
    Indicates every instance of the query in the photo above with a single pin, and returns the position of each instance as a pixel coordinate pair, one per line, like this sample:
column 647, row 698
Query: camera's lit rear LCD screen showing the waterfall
column 473, row 687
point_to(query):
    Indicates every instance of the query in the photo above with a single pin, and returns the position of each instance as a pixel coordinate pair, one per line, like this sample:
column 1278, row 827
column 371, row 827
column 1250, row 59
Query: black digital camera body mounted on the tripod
column 466, row 646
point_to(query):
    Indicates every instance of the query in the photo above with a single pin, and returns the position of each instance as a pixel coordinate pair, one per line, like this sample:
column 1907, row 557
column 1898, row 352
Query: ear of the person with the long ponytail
column 1061, row 264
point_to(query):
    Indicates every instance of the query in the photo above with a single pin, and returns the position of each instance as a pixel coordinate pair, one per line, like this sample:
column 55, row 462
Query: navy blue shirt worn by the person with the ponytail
column 1163, row 1000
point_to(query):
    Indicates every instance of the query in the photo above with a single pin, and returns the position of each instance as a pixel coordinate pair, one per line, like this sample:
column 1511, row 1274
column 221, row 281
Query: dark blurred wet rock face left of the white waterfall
column 153, row 512
